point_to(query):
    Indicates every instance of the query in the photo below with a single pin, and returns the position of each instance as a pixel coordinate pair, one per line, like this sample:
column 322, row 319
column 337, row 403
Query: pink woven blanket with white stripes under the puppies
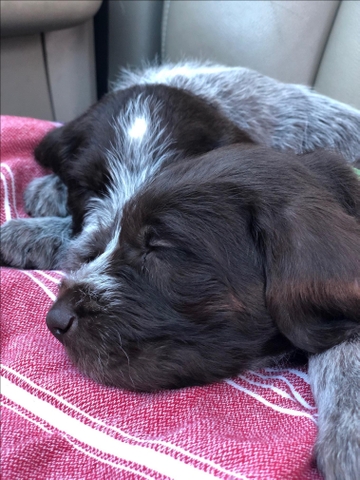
column 58, row 424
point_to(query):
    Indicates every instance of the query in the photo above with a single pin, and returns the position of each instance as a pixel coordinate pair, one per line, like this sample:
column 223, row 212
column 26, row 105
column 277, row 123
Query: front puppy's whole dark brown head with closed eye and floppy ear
column 222, row 262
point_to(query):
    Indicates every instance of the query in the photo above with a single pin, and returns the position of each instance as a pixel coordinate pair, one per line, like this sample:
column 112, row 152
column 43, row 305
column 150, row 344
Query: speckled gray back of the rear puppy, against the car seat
column 276, row 114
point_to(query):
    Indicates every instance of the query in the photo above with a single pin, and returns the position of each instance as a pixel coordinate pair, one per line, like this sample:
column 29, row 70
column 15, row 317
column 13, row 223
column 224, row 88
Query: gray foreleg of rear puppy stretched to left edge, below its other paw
column 35, row 243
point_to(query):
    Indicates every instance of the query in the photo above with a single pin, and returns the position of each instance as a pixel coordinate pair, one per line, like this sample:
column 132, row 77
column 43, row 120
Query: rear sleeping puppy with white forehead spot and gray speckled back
column 156, row 116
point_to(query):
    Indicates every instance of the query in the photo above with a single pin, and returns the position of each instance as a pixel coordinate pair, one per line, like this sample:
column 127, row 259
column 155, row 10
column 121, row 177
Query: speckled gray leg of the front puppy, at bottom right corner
column 335, row 381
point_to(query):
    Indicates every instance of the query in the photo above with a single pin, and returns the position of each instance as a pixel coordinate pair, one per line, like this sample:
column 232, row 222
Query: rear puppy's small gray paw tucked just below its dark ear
column 46, row 197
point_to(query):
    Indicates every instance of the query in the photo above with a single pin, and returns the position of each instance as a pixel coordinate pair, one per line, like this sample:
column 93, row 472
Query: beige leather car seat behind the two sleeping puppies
column 47, row 48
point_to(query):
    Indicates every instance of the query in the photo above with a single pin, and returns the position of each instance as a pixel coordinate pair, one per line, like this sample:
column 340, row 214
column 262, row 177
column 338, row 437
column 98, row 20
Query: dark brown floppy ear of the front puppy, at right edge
column 312, row 266
